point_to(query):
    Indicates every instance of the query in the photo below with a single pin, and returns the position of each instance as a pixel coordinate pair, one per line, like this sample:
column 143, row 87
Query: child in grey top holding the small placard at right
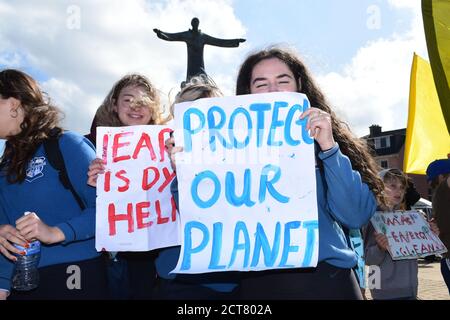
column 399, row 278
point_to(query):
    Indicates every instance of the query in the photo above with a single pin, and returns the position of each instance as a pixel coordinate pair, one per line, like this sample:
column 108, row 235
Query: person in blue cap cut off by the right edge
column 438, row 174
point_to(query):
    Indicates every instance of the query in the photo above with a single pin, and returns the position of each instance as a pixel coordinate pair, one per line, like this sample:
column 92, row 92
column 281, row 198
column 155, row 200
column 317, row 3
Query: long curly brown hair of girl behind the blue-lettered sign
column 355, row 149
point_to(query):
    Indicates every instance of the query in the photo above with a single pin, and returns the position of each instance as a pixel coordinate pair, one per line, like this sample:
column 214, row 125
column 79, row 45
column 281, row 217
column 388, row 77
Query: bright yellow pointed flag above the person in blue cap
column 427, row 138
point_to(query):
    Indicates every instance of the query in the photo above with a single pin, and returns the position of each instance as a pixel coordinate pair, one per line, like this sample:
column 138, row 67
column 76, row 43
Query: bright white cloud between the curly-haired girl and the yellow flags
column 374, row 87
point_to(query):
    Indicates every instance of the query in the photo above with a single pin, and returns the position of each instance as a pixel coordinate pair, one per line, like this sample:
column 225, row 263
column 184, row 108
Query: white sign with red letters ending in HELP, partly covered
column 135, row 209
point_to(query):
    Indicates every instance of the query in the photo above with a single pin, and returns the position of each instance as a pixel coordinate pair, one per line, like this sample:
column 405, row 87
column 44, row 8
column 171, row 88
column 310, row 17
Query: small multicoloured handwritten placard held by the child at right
column 409, row 235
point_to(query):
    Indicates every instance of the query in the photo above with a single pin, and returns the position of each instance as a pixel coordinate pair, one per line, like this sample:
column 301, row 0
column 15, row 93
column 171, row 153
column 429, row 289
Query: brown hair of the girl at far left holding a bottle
column 40, row 117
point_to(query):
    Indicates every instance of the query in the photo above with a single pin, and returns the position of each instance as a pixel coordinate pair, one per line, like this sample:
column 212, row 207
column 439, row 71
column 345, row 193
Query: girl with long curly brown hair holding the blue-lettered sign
column 347, row 185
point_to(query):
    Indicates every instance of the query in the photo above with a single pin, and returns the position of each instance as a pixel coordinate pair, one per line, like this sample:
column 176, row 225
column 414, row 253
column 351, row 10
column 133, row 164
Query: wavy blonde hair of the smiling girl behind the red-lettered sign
column 107, row 116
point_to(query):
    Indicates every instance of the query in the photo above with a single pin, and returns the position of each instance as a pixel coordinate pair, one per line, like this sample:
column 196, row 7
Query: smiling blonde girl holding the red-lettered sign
column 133, row 100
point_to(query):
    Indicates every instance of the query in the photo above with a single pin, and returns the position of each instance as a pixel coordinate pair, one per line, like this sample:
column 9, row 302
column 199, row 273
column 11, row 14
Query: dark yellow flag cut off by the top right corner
column 436, row 21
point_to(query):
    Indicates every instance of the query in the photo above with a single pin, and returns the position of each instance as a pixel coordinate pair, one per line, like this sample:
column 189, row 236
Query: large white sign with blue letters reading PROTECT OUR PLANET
column 247, row 184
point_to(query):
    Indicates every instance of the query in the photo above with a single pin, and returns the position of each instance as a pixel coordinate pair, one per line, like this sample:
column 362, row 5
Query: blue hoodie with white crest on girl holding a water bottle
column 43, row 193
